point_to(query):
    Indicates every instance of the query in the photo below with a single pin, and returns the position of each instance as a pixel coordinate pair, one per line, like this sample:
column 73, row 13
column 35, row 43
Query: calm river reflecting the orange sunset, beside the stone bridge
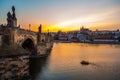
column 63, row 63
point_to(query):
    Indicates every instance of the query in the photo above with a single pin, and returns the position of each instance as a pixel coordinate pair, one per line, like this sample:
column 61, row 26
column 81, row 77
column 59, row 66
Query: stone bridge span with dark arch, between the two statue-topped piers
column 26, row 39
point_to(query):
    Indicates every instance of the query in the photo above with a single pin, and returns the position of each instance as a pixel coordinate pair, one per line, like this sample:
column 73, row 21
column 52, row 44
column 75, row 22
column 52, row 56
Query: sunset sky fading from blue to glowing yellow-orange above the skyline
column 64, row 15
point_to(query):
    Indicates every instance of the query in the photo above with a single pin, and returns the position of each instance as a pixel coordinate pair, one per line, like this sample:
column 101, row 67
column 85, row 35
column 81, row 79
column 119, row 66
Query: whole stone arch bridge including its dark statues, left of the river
column 14, row 35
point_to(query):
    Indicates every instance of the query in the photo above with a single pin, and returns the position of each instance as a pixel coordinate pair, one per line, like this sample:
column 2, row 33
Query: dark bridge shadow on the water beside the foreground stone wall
column 36, row 66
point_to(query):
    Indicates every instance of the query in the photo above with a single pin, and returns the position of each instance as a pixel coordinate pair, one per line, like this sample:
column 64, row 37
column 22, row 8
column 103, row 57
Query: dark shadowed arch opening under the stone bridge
column 29, row 45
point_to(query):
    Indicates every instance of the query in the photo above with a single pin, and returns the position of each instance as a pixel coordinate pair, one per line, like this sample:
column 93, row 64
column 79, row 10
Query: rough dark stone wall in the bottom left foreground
column 14, row 67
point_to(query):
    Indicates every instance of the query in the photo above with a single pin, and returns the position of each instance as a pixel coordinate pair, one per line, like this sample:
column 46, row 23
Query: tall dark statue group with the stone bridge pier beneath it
column 8, row 34
